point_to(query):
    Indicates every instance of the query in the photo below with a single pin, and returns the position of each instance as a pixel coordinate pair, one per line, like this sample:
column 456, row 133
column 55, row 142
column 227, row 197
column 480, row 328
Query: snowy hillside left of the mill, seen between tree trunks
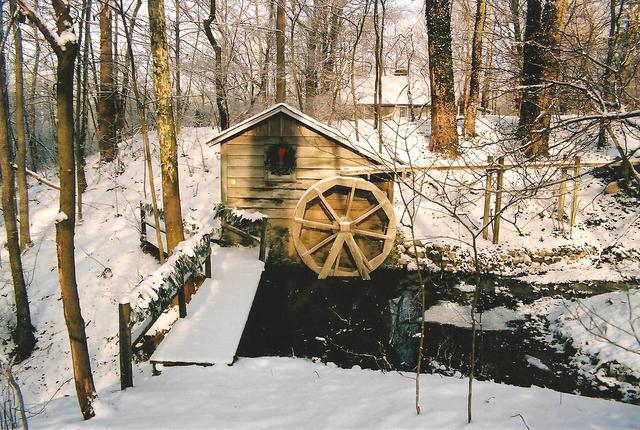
column 107, row 238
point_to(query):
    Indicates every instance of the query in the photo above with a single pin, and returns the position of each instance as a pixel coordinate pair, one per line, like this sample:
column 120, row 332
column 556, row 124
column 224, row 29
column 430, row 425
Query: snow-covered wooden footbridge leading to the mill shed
column 217, row 313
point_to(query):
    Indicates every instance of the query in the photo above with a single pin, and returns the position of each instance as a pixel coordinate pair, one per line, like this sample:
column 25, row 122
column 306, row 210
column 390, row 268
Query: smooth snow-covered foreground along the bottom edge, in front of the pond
column 286, row 393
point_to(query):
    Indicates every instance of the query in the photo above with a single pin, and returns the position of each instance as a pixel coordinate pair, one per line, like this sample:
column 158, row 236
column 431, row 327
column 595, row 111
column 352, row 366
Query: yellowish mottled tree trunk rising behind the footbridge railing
column 165, row 125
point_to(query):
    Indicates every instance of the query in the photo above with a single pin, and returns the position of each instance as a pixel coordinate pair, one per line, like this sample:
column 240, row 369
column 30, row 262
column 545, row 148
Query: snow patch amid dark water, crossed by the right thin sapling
column 447, row 312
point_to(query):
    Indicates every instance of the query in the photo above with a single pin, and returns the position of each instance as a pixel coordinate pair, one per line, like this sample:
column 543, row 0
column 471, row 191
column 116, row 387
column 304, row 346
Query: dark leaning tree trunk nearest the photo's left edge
column 23, row 333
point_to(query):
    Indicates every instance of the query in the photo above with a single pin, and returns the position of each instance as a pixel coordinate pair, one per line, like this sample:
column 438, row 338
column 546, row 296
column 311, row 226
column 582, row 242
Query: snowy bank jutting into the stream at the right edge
column 606, row 326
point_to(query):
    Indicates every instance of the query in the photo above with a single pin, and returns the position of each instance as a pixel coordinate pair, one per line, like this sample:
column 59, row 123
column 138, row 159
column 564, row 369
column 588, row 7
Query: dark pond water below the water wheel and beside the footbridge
column 374, row 325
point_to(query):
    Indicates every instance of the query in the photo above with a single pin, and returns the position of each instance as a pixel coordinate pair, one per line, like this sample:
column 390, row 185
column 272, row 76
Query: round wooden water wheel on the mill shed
column 344, row 227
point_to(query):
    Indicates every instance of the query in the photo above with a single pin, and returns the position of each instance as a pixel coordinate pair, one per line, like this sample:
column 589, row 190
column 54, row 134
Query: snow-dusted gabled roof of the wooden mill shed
column 313, row 124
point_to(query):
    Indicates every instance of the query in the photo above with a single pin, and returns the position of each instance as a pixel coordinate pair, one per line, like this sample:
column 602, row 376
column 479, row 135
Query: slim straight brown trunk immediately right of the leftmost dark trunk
column 21, row 138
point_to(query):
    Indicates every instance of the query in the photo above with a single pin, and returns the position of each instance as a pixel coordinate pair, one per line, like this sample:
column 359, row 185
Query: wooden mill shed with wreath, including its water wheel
column 291, row 168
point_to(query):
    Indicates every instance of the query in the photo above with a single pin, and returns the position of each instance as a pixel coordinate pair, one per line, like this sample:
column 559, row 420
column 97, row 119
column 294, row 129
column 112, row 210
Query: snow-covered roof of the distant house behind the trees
column 394, row 90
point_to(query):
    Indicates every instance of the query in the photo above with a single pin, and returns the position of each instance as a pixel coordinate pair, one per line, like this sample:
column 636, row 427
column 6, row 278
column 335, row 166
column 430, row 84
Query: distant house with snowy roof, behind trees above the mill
column 400, row 93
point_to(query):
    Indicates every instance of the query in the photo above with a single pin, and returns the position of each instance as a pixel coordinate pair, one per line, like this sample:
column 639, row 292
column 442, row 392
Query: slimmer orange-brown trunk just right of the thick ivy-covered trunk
column 469, row 129
